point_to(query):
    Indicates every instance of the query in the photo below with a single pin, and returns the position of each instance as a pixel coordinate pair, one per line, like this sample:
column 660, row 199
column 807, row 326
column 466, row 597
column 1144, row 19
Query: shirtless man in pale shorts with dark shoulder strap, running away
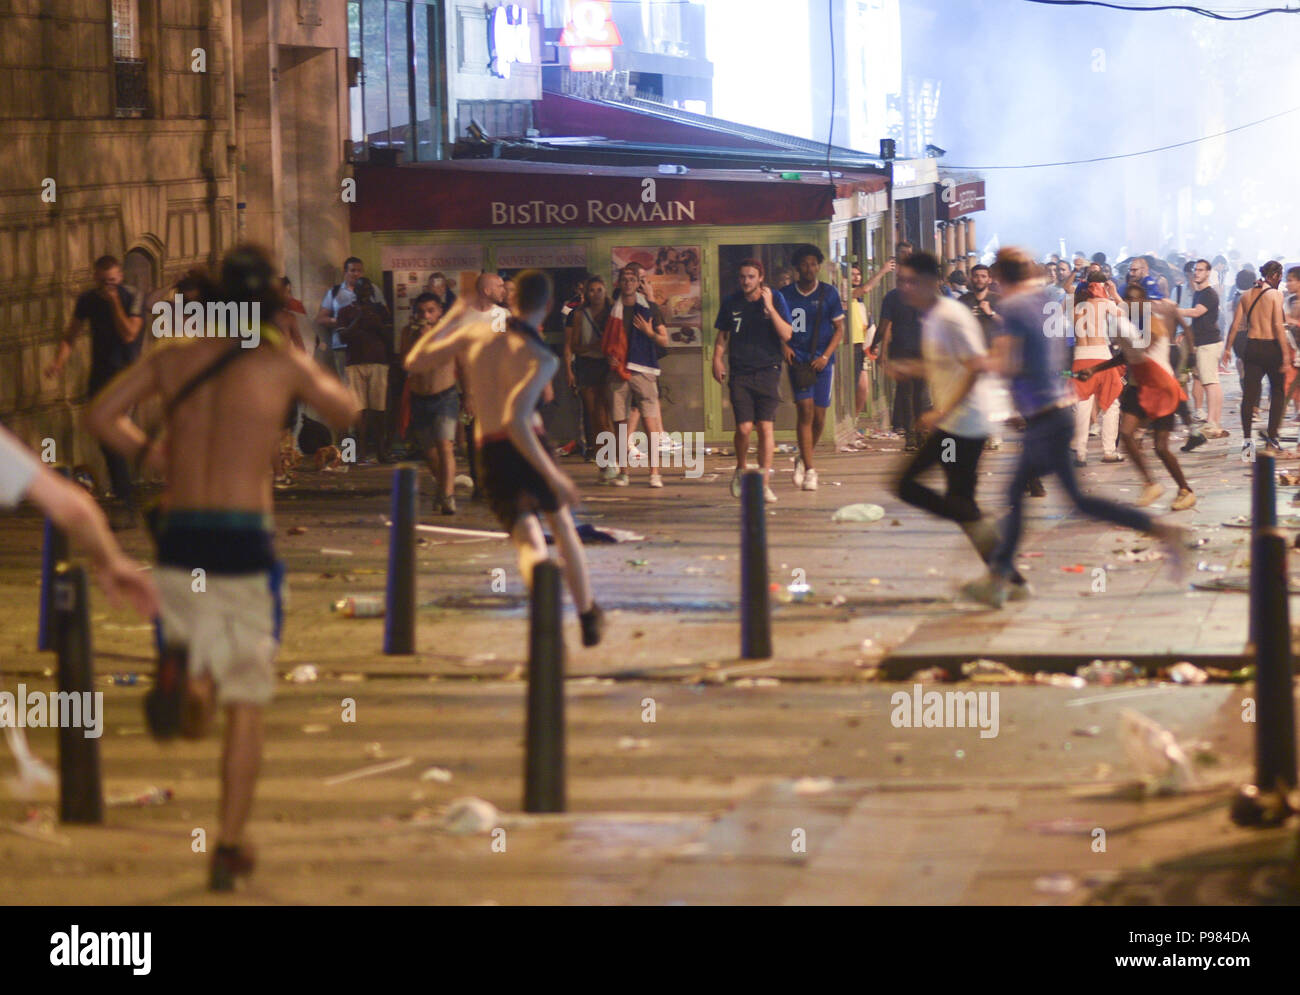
column 218, row 574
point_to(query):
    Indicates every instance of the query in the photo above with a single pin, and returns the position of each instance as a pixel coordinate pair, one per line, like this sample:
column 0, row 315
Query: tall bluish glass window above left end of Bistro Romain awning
column 396, row 92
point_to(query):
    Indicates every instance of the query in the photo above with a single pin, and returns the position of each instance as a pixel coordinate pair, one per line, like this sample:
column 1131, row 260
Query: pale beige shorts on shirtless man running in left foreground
column 231, row 629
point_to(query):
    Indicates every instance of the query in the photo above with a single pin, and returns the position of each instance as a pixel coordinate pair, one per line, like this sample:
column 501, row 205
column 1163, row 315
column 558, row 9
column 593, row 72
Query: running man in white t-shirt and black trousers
column 955, row 362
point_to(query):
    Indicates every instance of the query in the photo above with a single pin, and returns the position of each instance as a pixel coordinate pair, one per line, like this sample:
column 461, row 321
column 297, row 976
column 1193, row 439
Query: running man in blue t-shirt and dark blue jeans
column 1026, row 354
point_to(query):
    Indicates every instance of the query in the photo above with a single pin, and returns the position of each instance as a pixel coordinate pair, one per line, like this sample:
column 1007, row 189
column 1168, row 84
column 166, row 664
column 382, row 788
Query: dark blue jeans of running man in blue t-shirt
column 1047, row 452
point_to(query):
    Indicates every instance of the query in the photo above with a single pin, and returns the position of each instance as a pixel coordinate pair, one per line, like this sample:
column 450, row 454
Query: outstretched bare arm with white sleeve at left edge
column 77, row 514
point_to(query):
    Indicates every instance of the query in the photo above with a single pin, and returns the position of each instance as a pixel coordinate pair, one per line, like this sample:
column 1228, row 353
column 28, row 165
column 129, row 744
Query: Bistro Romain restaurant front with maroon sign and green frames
column 690, row 230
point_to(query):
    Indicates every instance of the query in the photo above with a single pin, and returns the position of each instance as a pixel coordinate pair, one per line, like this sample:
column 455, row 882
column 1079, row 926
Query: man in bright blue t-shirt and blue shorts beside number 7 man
column 817, row 323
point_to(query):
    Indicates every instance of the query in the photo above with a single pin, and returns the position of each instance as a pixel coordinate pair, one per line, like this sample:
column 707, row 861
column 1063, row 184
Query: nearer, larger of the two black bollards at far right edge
column 1275, row 729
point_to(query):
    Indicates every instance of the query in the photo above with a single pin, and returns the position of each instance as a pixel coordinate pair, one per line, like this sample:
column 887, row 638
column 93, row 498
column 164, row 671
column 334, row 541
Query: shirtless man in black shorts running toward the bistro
column 509, row 375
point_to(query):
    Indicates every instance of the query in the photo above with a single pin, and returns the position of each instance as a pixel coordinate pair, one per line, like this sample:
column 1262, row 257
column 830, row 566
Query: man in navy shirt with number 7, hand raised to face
column 753, row 325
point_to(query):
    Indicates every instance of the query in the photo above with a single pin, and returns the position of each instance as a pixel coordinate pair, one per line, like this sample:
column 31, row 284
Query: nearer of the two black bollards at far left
column 81, row 794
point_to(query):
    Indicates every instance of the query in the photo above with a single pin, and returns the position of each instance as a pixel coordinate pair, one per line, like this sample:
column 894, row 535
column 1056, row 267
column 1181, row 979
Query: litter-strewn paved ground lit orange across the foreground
column 703, row 804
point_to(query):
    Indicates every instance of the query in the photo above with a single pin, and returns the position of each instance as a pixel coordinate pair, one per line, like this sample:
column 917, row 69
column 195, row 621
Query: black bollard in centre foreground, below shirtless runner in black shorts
column 544, row 743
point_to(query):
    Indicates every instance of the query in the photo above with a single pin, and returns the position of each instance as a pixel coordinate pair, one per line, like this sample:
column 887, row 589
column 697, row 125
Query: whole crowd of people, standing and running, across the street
column 1056, row 351
